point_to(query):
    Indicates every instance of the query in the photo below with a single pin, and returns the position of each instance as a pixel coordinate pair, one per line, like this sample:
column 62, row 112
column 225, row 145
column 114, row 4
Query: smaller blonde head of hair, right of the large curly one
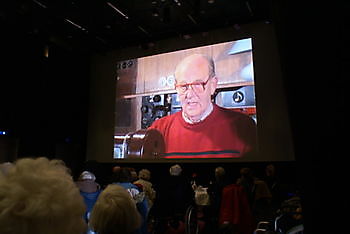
column 114, row 212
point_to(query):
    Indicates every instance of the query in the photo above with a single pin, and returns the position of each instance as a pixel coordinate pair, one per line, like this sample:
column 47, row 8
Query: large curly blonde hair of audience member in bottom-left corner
column 39, row 196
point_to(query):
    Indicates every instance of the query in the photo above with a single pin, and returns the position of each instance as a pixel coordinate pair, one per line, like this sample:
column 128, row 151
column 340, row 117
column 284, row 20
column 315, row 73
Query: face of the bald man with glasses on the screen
column 195, row 103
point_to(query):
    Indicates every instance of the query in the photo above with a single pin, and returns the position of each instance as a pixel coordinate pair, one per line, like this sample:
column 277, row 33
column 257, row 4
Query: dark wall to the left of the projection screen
column 44, row 100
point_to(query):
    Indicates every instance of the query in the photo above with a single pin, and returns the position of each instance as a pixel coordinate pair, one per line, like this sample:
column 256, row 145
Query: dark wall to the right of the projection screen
column 314, row 46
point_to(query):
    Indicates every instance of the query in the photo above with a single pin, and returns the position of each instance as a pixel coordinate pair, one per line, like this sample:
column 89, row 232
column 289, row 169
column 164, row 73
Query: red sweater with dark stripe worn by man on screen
column 223, row 134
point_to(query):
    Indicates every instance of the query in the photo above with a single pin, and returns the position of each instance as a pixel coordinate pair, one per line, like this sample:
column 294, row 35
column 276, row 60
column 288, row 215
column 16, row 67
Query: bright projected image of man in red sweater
column 197, row 103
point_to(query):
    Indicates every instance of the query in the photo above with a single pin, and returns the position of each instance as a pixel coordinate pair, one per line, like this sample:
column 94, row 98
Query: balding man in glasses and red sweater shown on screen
column 203, row 129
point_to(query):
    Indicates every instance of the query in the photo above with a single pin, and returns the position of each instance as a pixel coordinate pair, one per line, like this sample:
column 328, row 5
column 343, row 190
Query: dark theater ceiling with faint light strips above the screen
column 100, row 25
